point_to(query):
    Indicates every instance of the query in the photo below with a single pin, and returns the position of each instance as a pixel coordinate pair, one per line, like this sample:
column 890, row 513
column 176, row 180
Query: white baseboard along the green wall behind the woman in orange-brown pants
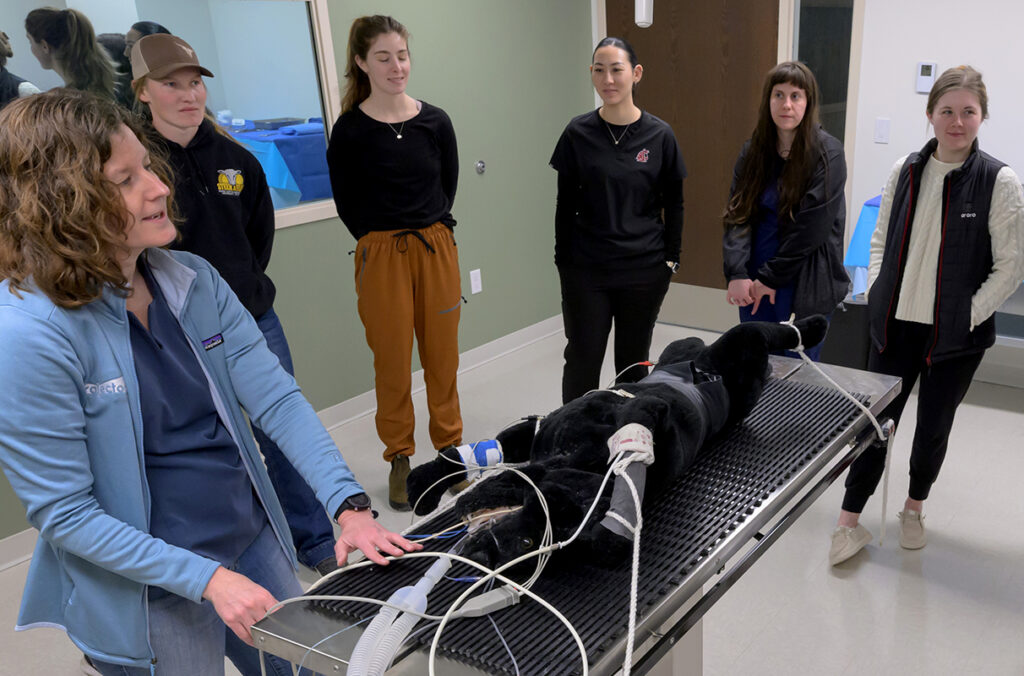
column 366, row 404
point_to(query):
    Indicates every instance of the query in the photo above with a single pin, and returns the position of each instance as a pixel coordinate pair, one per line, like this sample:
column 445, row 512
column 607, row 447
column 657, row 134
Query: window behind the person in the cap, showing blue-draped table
column 266, row 93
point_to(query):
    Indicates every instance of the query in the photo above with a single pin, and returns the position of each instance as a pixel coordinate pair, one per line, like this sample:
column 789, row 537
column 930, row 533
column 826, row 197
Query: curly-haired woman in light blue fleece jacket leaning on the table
column 135, row 366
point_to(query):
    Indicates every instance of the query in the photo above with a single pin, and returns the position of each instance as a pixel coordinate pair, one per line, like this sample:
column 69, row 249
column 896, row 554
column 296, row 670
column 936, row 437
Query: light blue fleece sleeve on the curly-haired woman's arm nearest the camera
column 50, row 461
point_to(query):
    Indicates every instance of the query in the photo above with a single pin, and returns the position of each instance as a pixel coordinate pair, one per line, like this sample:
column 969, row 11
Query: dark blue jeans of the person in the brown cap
column 311, row 527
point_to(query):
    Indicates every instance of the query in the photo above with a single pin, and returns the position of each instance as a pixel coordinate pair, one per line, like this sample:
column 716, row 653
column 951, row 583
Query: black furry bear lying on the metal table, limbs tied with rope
column 694, row 393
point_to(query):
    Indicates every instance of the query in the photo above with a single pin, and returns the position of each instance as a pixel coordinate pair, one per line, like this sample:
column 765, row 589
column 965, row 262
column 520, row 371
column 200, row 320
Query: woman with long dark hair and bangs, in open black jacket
column 787, row 214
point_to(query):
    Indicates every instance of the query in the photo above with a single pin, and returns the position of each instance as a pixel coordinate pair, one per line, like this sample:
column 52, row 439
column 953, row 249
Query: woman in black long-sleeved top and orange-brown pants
column 395, row 168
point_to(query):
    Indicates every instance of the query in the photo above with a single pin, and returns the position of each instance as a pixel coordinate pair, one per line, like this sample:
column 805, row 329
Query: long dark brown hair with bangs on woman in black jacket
column 764, row 148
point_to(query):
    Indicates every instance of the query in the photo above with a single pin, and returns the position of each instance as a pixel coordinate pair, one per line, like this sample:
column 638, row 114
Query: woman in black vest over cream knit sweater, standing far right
column 948, row 251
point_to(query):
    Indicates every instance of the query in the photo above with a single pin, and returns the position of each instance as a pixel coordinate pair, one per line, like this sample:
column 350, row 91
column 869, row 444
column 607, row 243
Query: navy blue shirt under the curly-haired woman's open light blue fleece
column 202, row 497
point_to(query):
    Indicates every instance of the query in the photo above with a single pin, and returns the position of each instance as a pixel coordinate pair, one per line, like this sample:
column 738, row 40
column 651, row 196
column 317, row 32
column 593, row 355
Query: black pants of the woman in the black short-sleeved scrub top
column 590, row 304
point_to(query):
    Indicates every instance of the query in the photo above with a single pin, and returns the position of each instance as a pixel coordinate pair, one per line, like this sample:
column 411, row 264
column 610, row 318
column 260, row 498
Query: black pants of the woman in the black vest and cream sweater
column 944, row 387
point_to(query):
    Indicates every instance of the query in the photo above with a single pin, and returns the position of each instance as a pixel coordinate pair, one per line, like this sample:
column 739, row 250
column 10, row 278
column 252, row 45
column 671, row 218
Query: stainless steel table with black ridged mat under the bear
column 744, row 492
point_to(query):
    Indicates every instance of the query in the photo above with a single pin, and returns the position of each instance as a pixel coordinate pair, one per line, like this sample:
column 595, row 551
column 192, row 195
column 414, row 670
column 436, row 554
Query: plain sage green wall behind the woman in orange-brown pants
column 510, row 75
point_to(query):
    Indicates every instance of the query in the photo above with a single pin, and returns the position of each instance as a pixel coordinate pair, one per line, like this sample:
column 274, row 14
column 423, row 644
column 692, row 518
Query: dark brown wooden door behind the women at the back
column 704, row 64
